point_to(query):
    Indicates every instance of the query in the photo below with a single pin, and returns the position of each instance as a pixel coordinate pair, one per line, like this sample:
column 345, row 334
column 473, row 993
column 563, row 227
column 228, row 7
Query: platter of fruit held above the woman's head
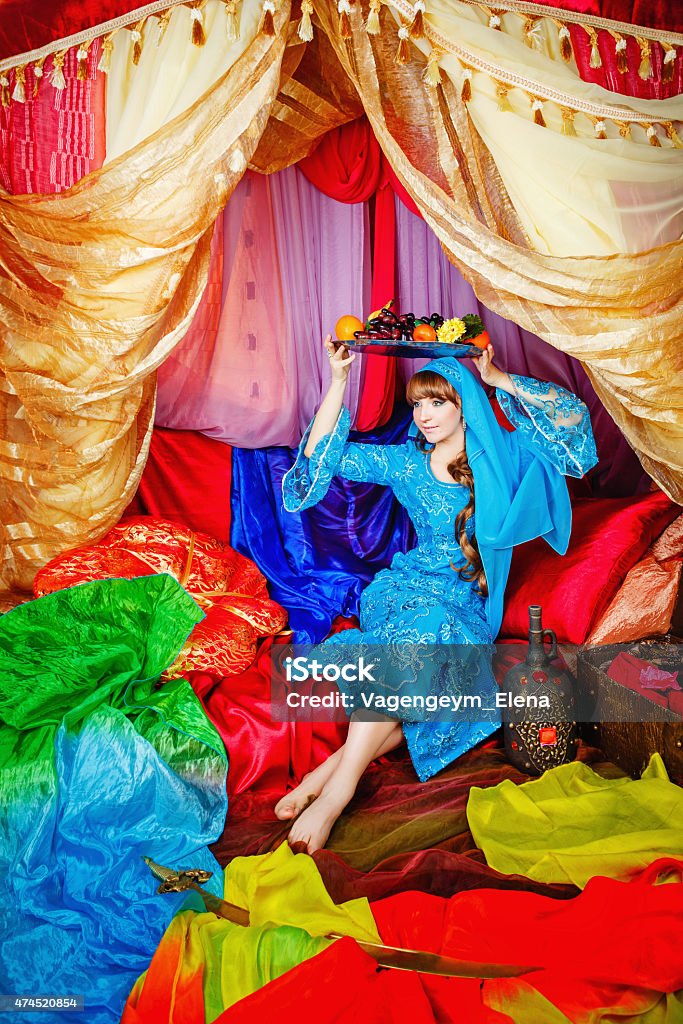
column 405, row 335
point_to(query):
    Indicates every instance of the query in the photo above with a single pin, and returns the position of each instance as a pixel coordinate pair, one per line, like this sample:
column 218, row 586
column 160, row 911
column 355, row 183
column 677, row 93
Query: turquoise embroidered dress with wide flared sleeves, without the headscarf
column 421, row 600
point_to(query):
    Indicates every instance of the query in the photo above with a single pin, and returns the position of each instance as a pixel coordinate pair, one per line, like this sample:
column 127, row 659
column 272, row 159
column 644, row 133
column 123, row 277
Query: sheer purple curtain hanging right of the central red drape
column 429, row 283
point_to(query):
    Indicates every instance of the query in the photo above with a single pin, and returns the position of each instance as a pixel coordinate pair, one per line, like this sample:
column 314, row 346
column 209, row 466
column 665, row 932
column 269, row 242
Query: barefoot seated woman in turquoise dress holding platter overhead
column 473, row 490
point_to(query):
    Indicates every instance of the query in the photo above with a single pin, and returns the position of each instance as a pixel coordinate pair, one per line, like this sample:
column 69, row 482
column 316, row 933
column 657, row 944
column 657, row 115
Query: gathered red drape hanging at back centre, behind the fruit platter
column 349, row 166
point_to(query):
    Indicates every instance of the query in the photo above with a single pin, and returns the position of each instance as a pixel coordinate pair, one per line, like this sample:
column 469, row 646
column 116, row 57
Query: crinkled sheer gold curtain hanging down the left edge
column 97, row 287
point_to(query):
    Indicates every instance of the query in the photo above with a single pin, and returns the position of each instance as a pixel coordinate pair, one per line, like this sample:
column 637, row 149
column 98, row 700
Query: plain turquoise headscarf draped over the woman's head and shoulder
column 519, row 494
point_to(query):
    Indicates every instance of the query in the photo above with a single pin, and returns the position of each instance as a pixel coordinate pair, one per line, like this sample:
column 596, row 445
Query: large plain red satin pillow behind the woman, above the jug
column 609, row 537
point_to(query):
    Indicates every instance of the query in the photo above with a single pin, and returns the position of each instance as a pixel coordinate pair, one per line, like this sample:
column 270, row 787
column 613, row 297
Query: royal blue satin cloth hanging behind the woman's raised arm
column 317, row 563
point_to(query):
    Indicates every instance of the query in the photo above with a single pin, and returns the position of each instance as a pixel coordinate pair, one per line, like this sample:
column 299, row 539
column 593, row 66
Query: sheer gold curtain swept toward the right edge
column 622, row 316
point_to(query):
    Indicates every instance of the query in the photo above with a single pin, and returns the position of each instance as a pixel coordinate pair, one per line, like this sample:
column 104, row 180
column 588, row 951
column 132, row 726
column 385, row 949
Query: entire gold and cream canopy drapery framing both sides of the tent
column 490, row 149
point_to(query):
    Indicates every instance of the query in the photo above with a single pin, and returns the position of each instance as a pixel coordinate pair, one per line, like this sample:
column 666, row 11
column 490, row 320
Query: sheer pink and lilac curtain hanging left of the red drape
column 293, row 263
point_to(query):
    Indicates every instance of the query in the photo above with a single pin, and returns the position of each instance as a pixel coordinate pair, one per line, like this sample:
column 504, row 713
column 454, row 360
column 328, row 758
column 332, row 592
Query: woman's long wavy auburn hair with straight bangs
column 428, row 385
